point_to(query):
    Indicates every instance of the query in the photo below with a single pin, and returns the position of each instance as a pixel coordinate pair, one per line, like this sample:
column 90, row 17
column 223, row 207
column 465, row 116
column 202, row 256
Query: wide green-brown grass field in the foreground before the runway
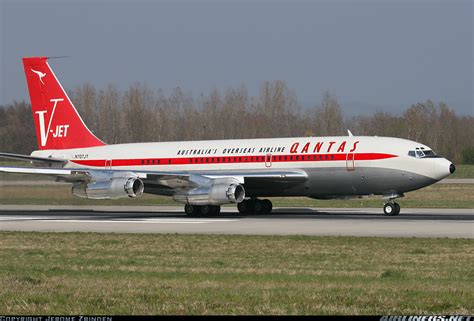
column 88, row 273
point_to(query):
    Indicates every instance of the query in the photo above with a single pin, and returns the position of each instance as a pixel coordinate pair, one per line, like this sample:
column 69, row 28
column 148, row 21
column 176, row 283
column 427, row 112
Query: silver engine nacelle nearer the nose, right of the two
column 212, row 195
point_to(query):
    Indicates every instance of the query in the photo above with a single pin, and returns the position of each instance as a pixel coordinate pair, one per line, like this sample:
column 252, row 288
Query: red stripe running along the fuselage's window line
column 233, row 159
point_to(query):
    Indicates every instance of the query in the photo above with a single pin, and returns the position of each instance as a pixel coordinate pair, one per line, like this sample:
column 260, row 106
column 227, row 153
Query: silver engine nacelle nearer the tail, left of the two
column 114, row 188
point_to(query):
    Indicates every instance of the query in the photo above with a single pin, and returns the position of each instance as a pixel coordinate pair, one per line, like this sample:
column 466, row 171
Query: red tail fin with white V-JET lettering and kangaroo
column 58, row 124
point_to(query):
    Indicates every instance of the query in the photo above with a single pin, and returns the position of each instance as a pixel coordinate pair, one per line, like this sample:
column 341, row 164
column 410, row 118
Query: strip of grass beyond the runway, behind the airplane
column 437, row 196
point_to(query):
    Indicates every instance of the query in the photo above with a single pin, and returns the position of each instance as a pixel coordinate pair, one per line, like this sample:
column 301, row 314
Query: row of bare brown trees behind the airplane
column 141, row 114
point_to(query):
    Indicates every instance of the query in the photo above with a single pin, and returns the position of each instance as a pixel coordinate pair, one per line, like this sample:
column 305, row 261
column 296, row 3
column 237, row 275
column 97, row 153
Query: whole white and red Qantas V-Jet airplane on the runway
column 203, row 175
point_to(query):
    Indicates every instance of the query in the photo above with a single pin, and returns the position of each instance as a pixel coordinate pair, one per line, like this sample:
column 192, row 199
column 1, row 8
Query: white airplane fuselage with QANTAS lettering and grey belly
column 343, row 165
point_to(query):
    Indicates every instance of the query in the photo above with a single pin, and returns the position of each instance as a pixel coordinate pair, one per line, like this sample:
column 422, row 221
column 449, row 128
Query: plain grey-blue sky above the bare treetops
column 371, row 54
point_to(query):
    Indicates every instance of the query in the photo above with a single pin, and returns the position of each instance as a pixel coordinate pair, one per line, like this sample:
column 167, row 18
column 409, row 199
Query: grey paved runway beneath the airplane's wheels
column 452, row 223
